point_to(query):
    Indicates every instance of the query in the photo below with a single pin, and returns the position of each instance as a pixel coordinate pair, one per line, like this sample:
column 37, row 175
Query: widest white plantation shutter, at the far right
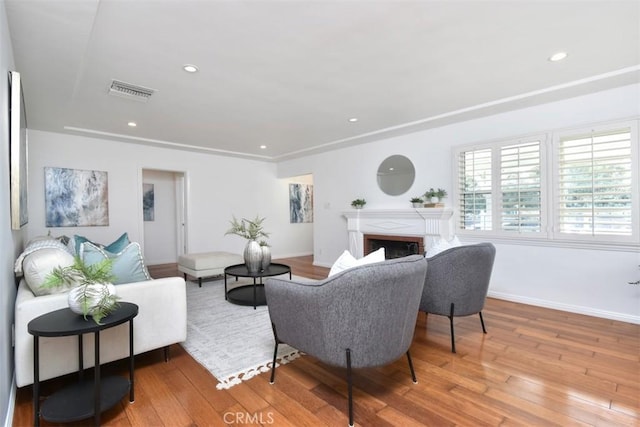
column 595, row 184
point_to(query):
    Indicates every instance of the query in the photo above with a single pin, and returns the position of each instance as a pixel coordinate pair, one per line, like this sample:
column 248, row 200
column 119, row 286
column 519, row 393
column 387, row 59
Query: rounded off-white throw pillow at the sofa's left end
column 37, row 265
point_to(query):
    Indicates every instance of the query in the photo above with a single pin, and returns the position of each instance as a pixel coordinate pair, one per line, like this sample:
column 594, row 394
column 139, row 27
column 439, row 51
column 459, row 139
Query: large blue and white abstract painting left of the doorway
column 76, row 198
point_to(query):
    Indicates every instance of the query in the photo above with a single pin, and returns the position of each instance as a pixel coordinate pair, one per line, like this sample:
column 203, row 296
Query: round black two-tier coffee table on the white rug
column 251, row 294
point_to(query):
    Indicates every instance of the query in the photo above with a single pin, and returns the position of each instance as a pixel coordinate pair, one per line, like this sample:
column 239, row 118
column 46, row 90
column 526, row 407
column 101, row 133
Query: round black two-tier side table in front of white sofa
column 83, row 399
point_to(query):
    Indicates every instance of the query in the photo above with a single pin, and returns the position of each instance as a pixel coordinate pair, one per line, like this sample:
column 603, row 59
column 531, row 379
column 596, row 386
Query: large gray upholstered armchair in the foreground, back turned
column 361, row 317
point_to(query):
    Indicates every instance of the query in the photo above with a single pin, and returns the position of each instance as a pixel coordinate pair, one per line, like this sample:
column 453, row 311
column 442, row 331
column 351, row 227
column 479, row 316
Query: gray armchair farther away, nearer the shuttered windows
column 457, row 283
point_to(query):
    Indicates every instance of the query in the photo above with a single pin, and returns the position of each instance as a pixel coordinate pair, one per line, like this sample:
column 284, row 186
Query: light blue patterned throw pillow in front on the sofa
column 128, row 264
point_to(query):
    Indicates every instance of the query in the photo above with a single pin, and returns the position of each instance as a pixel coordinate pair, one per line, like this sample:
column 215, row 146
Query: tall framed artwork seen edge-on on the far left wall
column 17, row 152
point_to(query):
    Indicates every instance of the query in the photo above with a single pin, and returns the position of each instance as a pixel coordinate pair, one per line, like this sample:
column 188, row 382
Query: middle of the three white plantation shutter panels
column 520, row 207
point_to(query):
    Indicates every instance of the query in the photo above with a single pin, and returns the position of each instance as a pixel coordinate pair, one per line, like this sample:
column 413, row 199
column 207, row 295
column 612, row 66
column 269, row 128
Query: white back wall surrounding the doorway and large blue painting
column 217, row 187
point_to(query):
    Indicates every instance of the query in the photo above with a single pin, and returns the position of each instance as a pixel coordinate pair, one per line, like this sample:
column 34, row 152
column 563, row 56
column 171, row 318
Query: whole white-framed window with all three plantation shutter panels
column 579, row 185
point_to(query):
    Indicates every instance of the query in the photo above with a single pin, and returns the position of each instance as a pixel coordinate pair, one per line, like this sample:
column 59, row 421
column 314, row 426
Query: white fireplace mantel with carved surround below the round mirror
column 430, row 223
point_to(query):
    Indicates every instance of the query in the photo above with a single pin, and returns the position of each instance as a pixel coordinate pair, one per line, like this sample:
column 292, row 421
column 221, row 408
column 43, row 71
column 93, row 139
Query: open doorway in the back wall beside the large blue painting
column 164, row 216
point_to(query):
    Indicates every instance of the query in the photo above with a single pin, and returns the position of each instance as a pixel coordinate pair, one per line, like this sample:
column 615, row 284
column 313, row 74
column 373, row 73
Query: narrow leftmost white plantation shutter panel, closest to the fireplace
column 474, row 182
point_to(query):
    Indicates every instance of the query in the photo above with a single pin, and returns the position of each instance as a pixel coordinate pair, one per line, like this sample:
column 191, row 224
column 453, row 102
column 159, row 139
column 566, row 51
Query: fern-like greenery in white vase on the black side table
column 90, row 286
